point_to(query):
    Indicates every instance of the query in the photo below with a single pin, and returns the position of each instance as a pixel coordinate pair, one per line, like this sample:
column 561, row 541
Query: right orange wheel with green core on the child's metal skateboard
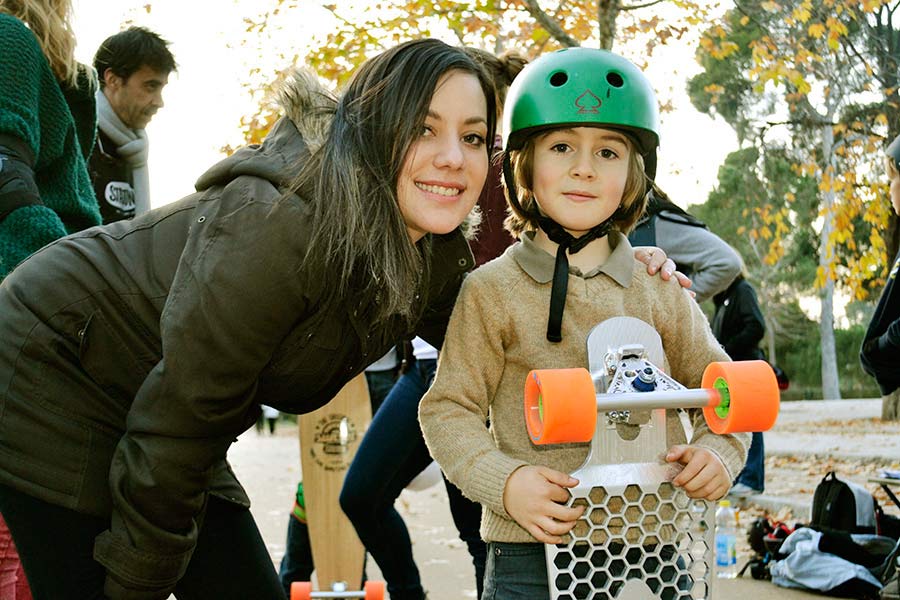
column 749, row 396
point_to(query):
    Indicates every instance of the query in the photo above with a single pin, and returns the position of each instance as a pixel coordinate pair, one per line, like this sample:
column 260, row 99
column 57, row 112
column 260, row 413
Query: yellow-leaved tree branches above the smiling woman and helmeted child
column 364, row 29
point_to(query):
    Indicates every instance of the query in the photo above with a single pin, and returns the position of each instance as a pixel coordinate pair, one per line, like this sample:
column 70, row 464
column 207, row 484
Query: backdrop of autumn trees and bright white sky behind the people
column 774, row 119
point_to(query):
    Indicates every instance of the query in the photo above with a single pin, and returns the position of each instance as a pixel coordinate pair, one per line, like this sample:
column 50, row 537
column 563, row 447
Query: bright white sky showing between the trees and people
column 205, row 99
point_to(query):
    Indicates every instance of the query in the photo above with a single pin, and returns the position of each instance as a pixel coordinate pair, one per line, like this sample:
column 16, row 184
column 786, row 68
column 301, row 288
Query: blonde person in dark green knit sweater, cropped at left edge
column 47, row 127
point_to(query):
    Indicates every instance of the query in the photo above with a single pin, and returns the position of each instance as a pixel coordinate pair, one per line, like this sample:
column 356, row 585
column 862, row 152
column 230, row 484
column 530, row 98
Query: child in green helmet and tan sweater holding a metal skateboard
column 578, row 125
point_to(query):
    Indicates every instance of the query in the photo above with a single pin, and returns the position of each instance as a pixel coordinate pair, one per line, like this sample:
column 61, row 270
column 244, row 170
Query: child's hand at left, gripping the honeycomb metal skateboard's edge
column 533, row 497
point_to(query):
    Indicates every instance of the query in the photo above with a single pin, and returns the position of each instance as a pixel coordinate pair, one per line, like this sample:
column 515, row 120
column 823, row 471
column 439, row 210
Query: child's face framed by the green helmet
column 580, row 175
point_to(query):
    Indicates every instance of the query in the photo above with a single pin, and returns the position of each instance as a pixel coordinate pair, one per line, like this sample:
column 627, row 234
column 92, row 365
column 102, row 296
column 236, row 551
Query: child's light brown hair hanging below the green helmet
column 525, row 217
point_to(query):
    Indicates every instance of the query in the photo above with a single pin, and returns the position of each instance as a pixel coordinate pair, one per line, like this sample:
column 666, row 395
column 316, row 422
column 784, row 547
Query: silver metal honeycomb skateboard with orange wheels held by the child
column 640, row 537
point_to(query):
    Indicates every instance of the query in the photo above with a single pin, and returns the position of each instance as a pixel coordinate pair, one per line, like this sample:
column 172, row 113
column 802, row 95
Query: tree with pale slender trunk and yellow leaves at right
column 795, row 70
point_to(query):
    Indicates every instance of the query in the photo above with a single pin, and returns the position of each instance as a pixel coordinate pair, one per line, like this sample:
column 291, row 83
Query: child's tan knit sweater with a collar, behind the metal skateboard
column 497, row 334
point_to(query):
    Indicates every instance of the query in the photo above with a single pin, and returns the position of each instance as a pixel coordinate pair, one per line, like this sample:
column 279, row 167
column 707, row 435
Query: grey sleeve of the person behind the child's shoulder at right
column 712, row 262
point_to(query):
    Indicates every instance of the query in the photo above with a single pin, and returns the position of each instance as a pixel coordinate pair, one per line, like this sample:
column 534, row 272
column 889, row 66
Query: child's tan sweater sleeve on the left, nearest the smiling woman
column 454, row 412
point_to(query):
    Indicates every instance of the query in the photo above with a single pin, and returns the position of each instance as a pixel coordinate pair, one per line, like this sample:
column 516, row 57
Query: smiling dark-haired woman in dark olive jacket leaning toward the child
column 135, row 353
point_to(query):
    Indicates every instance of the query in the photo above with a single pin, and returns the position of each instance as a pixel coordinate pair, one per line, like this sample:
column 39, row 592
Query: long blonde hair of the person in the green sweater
column 49, row 20
